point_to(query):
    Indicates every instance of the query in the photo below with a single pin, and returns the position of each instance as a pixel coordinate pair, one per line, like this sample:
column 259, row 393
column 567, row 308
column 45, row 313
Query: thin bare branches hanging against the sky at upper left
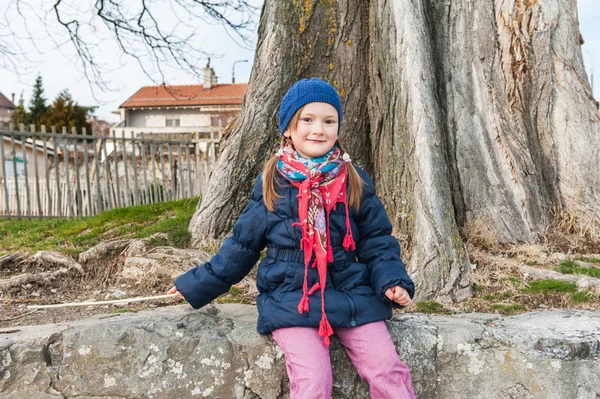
column 140, row 29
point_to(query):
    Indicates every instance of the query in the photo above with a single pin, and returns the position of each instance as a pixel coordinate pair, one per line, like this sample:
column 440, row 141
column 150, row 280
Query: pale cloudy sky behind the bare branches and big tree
column 60, row 71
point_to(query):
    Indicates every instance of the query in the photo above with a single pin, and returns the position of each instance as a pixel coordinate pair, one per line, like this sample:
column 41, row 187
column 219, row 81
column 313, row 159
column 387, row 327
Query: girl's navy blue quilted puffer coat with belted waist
column 356, row 280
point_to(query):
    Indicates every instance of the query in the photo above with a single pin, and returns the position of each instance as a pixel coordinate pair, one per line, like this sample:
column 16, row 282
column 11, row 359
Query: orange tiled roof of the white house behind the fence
column 187, row 95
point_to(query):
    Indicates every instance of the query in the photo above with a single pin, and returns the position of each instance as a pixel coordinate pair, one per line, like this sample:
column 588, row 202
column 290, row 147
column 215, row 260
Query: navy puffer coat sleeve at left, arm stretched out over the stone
column 236, row 257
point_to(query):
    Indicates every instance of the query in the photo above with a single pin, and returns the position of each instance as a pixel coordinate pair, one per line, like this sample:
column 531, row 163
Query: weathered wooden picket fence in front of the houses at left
column 75, row 174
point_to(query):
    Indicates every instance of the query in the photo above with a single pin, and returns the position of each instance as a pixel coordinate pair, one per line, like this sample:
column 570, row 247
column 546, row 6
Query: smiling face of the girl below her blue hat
column 317, row 130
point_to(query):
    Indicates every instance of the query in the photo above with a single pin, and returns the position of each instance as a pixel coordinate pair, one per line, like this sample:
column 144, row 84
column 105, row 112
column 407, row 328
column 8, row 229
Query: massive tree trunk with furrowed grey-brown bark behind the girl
column 461, row 110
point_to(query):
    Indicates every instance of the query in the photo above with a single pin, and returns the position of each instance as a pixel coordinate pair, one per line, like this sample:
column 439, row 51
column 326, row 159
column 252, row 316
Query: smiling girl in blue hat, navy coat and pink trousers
column 332, row 265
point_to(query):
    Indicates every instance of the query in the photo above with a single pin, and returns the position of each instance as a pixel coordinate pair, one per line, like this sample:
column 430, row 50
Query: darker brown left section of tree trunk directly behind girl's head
column 296, row 39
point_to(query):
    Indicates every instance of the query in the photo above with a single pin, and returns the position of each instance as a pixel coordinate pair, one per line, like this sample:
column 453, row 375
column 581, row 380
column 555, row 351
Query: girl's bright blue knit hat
column 306, row 91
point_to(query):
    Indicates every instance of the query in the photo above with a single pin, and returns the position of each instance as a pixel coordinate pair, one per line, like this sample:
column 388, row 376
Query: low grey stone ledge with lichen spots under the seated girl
column 215, row 352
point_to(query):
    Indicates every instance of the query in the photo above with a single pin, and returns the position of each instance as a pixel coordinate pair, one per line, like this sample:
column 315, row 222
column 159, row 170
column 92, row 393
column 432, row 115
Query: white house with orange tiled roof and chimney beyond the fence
column 199, row 109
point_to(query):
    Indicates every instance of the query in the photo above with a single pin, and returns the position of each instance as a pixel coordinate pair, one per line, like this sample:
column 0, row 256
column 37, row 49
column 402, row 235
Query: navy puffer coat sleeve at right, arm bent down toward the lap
column 376, row 246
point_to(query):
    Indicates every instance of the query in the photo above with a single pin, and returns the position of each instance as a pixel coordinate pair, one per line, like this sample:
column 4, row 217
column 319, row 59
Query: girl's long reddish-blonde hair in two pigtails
column 269, row 177
